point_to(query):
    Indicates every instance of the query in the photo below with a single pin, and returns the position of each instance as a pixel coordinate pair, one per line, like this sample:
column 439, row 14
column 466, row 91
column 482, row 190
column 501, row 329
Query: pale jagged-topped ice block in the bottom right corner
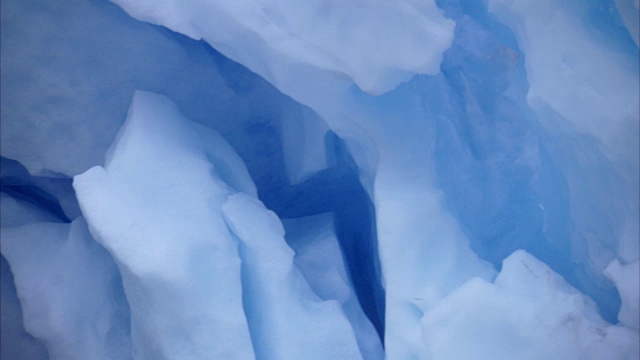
column 529, row 312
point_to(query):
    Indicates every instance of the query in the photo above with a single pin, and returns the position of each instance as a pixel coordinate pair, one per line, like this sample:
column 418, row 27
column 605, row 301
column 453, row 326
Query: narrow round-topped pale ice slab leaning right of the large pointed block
column 287, row 319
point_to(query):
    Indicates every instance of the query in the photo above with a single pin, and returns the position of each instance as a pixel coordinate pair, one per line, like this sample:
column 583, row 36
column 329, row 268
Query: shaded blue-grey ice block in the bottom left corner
column 68, row 288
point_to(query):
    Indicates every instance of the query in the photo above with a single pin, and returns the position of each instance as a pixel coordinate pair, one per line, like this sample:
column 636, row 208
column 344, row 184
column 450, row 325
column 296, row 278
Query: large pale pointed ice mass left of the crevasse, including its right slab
column 198, row 252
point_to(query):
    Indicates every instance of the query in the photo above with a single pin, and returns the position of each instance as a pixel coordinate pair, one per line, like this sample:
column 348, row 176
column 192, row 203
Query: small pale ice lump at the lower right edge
column 627, row 280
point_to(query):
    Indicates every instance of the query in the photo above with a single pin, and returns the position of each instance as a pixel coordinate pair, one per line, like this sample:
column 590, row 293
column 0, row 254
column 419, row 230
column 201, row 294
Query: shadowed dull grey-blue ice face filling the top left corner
column 46, row 71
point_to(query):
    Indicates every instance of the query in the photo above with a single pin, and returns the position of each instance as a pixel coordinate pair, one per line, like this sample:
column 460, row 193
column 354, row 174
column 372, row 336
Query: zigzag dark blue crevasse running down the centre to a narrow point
column 254, row 134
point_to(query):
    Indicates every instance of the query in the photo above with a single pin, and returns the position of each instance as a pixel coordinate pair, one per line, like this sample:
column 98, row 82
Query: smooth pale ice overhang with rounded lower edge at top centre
column 376, row 44
